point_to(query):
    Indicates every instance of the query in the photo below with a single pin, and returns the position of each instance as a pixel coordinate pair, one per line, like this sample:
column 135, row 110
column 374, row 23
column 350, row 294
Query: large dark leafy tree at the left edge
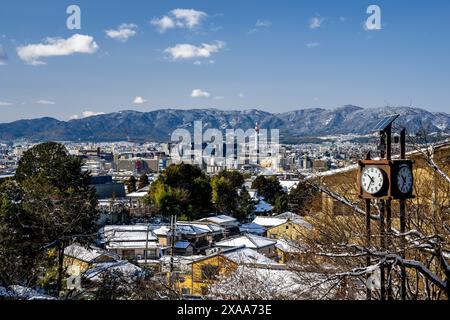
column 48, row 205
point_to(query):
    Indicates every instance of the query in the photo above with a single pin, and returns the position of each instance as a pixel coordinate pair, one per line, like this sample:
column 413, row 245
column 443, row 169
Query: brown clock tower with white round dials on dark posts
column 382, row 181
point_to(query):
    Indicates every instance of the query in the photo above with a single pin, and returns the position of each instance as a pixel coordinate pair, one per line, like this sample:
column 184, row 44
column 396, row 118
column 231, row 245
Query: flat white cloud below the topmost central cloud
column 189, row 51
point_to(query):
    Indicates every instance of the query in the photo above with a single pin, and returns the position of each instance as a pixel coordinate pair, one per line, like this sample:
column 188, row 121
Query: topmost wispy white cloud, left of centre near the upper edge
column 179, row 18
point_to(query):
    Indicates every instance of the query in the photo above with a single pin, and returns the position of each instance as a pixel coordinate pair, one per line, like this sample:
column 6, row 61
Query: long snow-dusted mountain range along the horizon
column 158, row 125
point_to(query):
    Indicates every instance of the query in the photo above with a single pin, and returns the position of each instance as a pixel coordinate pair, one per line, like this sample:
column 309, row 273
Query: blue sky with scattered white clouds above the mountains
column 270, row 55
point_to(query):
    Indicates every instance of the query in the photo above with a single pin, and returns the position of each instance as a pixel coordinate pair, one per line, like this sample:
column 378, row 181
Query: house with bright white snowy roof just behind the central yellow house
column 260, row 244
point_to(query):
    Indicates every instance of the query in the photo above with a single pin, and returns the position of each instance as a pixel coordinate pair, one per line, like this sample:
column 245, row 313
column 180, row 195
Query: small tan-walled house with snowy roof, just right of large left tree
column 78, row 259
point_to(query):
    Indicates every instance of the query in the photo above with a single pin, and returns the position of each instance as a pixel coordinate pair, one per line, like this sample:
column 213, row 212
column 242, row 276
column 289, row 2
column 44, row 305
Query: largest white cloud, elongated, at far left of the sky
column 53, row 47
